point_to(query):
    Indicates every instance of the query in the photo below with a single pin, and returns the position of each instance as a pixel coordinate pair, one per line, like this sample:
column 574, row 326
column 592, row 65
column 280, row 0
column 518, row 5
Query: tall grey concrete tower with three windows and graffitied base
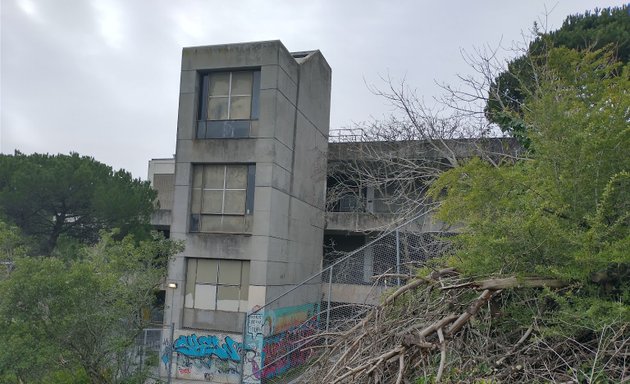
column 245, row 193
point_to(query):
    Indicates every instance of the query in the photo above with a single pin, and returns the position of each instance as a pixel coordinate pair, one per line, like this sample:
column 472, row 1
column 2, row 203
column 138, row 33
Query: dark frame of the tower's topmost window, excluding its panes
column 208, row 128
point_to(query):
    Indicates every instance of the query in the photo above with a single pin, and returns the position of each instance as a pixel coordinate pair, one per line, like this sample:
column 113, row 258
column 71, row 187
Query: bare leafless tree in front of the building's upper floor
column 397, row 159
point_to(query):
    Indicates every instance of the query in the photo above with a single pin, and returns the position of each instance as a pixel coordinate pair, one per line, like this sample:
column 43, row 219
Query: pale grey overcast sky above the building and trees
column 101, row 77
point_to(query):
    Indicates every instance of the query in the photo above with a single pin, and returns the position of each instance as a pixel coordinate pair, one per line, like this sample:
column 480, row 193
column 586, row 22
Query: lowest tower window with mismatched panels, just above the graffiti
column 217, row 284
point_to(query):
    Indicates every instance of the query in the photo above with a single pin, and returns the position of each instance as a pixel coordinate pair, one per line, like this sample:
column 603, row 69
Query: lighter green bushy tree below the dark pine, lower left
column 78, row 318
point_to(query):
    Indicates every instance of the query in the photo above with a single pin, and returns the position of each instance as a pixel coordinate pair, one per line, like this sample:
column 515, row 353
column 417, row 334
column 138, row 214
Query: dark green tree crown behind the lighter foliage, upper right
column 590, row 31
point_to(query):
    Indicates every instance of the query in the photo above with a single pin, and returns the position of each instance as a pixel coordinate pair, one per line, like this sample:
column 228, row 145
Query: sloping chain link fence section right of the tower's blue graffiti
column 282, row 337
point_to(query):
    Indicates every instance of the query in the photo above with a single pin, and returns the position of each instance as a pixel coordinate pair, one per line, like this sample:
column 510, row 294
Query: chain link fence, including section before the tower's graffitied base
column 280, row 339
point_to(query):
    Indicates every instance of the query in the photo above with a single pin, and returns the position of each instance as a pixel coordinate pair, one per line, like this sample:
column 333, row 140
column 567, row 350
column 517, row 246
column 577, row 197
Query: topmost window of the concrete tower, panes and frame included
column 229, row 103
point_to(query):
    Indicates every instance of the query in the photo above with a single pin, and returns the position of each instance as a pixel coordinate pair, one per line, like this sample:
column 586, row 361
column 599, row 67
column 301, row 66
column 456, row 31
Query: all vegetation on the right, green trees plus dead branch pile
column 537, row 286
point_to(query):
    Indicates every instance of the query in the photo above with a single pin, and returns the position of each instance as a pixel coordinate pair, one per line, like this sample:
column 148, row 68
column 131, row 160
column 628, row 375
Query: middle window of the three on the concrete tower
column 222, row 198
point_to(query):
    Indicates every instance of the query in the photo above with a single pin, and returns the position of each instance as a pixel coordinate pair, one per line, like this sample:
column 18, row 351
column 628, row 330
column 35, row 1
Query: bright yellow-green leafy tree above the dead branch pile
column 564, row 212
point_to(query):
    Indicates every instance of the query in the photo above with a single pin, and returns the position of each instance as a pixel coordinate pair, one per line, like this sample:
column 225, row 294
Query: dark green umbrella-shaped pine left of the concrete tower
column 51, row 196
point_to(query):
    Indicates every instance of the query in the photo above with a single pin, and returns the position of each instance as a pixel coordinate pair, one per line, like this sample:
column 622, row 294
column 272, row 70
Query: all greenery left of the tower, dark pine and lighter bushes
column 78, row 269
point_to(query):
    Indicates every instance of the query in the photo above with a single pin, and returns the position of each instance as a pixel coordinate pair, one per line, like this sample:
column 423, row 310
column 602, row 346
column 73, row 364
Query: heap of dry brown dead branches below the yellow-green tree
column 443, row 328
